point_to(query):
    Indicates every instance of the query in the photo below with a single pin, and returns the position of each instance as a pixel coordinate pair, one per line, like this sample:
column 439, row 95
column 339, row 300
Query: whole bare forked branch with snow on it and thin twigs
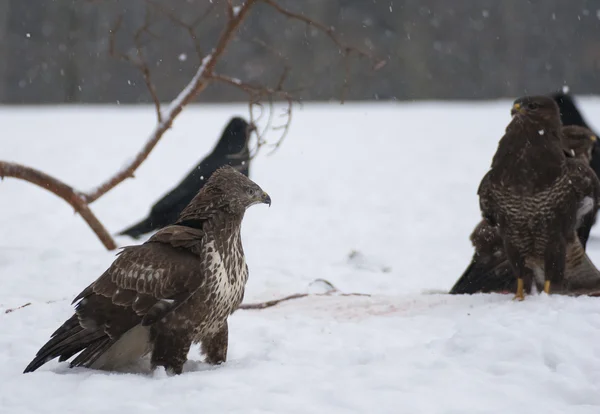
column 204, row 75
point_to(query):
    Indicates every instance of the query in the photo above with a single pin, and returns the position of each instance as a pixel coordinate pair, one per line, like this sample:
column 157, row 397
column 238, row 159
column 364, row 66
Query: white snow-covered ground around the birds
column 394, row 183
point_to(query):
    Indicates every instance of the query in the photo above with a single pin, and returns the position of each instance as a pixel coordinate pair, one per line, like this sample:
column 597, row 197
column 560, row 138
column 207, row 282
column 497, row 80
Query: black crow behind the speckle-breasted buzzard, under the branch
column 232, row 149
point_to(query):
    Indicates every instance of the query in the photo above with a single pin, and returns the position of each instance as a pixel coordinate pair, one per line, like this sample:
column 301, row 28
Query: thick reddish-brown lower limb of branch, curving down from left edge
column 62, row 190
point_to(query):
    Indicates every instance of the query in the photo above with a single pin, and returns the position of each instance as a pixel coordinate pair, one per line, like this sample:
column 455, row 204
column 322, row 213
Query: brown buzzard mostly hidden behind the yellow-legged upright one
column 489, row 270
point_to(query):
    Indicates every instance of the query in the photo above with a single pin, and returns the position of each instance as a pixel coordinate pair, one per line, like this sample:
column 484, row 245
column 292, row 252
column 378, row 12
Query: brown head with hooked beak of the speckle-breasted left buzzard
column 237, row 191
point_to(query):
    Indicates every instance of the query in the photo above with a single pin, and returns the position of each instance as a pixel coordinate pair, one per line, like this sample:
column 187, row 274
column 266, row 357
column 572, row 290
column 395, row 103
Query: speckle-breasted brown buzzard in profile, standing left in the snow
column 176, row 289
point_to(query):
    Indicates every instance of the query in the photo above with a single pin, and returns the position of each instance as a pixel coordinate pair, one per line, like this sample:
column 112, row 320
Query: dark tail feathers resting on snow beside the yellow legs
column 484, row 278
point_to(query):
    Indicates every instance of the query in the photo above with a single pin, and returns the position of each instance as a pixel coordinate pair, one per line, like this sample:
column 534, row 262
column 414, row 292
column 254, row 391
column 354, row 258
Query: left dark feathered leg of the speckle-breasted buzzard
column 170, row 351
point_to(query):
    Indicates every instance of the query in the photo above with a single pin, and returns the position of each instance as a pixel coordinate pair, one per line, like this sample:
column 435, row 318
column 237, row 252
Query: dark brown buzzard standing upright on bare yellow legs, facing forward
column 535, row 195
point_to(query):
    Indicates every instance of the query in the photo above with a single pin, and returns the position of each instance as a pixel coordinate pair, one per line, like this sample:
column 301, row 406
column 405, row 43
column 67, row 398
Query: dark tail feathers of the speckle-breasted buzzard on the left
column 67, row 341
